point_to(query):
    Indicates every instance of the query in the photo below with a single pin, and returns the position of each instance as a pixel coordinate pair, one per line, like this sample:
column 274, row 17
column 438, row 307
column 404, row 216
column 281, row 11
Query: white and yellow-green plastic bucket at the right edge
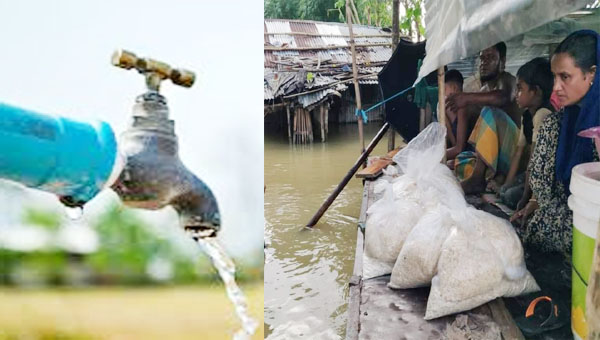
column 585, row 203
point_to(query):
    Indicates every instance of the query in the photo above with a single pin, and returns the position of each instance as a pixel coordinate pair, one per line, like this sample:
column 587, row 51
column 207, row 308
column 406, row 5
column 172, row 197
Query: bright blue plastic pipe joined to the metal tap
column 55, row 154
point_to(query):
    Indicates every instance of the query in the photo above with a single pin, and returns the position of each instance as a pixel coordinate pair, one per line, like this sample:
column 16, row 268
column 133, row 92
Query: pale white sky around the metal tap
column 56, row 59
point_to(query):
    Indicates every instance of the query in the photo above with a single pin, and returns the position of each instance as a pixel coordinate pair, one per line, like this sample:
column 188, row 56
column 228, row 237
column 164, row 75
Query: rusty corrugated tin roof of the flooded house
column 323, row 50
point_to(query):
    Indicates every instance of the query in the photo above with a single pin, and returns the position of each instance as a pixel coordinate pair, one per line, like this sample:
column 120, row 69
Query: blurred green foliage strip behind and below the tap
column 127, row 247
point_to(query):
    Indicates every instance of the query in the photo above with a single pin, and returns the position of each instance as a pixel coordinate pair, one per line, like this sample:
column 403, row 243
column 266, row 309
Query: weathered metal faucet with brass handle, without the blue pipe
column 154, row 176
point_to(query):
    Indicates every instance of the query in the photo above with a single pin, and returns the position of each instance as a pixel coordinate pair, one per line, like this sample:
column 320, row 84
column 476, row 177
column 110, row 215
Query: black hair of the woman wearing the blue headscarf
column 582, row 48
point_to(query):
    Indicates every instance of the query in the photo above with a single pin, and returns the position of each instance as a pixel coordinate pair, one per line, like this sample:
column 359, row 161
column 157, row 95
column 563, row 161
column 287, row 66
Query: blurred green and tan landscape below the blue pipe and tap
column 111, row 274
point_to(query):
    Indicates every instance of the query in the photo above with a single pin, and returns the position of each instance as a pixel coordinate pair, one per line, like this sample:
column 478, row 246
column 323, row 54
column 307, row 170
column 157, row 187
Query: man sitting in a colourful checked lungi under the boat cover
column 496, row 131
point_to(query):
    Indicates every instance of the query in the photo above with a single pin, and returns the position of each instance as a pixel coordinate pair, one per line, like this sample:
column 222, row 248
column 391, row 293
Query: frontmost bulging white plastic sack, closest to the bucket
column 477, row 265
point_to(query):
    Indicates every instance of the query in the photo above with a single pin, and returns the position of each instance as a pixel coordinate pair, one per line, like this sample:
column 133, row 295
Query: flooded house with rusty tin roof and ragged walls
column 308, row 75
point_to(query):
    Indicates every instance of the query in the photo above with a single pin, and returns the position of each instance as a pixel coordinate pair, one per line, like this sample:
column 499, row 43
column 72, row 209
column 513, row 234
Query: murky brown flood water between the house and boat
column 307, row 271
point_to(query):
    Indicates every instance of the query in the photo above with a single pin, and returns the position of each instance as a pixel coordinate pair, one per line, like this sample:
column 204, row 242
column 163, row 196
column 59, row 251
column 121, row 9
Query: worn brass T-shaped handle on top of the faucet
column 155, row 71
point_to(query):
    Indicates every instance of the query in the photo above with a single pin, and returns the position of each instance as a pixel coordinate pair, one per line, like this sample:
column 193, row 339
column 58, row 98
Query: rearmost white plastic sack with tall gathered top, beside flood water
column 422, row 184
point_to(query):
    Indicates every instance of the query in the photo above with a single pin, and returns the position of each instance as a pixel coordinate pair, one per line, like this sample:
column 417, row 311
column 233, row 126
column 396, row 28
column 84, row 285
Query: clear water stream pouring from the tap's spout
column 226, row 269
